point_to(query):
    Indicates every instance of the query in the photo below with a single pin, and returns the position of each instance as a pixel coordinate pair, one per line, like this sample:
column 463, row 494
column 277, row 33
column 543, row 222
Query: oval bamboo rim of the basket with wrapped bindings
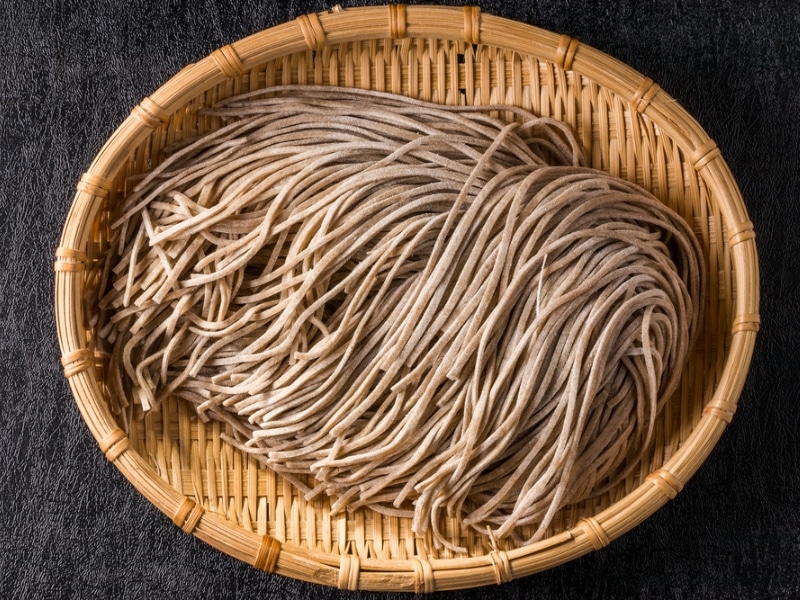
column 468, row 24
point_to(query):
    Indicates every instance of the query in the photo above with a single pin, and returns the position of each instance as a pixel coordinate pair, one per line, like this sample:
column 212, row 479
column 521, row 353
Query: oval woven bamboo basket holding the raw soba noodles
column 628, row 126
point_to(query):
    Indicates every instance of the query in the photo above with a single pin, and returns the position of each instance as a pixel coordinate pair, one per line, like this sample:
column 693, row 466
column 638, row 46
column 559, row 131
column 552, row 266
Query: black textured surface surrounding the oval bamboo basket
column 72, row 527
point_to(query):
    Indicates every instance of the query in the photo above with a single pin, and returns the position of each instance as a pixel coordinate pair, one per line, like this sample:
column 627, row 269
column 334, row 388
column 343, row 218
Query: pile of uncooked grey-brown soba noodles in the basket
column 431, row 310
